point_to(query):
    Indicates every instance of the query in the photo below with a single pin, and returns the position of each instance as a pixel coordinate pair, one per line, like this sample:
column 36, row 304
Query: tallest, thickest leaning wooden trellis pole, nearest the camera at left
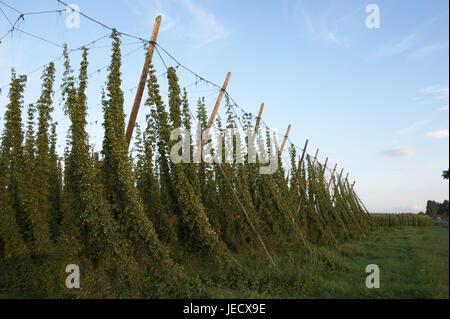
column 142, row 81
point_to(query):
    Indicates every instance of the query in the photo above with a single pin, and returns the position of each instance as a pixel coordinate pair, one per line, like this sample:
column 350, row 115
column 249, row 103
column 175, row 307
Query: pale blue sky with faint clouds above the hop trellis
column 375, row 101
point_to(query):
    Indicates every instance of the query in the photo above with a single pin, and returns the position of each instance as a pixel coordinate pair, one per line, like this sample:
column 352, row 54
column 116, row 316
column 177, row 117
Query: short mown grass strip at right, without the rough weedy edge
column 413, row 261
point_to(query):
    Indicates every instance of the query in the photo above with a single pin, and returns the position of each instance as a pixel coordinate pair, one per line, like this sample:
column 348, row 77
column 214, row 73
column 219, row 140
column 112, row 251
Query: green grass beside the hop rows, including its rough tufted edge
column 413, row 262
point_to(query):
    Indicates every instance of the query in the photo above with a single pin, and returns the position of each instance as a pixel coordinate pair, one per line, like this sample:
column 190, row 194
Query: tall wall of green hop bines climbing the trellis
column 146, row 227
